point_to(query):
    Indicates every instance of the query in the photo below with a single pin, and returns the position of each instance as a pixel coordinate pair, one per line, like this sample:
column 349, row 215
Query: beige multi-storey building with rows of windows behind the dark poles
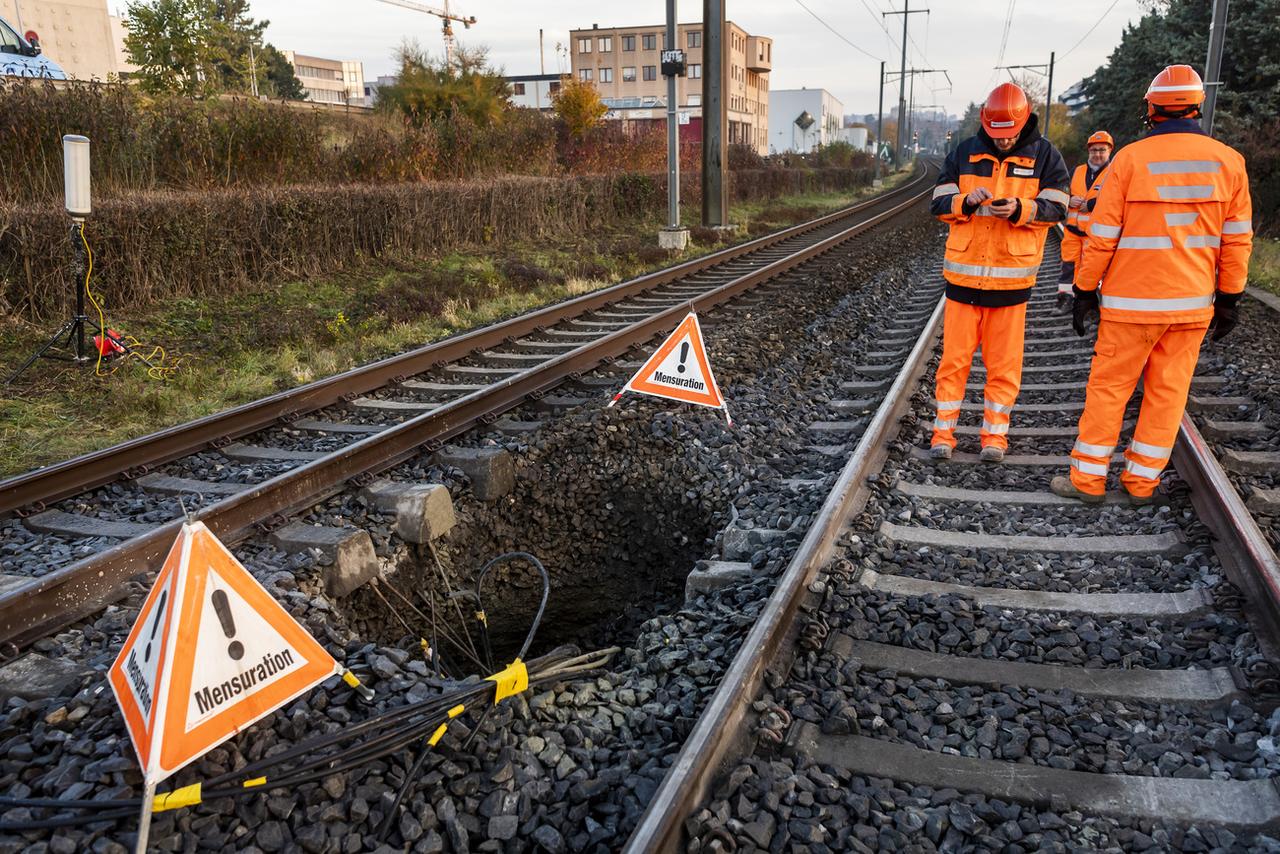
column 625, row 66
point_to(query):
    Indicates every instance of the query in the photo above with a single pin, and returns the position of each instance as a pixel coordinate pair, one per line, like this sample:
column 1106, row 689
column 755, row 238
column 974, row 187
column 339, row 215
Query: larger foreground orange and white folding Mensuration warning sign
column 211, row 654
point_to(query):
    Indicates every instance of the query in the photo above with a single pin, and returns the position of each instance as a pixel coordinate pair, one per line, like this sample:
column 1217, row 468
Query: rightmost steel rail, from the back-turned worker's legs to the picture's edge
column 1241, row 546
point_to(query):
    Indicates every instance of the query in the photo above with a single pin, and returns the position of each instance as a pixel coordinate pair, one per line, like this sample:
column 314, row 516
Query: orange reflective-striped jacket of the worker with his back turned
column 1173, row 223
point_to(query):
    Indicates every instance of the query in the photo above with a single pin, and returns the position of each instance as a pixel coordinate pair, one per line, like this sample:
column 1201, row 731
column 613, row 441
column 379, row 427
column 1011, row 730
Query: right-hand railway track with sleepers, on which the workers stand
column 956, row 656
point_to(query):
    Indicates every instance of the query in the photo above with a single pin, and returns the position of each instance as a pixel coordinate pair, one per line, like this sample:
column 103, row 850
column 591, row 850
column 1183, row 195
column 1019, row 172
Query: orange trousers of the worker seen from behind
column 1164, row 355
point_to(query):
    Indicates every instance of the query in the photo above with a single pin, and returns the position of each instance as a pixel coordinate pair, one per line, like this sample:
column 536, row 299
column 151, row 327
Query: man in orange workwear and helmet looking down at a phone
column 1000, row 191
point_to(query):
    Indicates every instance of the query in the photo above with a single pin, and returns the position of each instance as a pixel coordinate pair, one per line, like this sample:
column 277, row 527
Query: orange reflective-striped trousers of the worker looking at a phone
column 999, row 332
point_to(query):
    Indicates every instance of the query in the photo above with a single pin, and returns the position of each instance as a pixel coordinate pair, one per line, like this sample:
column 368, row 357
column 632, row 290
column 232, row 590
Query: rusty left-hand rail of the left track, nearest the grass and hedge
column 136, row 456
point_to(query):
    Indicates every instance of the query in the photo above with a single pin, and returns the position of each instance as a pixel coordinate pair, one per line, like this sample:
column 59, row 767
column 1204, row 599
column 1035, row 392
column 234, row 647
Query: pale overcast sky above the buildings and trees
column 963, row 36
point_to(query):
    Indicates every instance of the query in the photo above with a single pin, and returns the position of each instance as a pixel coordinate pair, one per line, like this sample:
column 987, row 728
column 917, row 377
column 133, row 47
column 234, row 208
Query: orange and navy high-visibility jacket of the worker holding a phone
column 993, row 262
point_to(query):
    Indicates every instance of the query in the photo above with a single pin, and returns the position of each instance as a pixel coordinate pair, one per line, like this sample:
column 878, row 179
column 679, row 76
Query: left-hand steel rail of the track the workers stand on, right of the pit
column 721, row 734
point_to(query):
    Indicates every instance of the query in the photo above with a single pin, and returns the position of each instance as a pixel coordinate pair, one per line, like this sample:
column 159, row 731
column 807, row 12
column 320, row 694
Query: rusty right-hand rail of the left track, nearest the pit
column 29, row 613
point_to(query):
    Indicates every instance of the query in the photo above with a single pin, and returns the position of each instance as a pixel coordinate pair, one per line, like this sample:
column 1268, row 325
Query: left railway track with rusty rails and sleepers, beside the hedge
column 316, row 441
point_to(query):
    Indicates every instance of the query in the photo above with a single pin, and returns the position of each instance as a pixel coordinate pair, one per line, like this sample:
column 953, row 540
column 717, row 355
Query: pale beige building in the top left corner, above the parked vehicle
column 75, row 34
